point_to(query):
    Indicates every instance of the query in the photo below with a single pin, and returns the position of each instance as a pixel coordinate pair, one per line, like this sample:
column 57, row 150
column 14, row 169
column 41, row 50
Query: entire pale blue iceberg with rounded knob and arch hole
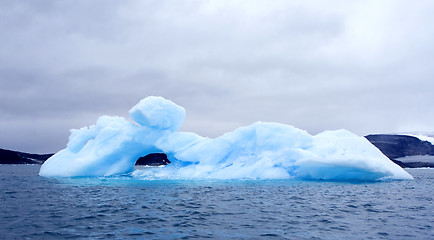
column 259, row 151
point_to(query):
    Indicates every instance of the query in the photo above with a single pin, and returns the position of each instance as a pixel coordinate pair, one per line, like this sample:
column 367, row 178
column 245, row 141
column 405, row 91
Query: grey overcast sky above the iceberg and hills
column 365, row 66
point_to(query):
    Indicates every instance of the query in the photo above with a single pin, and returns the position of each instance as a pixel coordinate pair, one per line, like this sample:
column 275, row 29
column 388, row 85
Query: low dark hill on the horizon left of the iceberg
column 14, row 157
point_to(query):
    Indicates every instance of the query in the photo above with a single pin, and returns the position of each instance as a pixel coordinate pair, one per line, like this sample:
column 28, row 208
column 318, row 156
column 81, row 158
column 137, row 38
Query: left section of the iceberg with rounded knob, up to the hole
column 113, row 145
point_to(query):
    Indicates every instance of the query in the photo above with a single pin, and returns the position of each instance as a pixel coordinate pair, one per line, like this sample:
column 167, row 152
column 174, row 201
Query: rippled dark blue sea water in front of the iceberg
column 34, row 207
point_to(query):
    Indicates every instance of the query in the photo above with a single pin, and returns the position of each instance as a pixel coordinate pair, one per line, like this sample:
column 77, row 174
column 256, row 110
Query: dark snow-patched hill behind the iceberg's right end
column 406, row 151
